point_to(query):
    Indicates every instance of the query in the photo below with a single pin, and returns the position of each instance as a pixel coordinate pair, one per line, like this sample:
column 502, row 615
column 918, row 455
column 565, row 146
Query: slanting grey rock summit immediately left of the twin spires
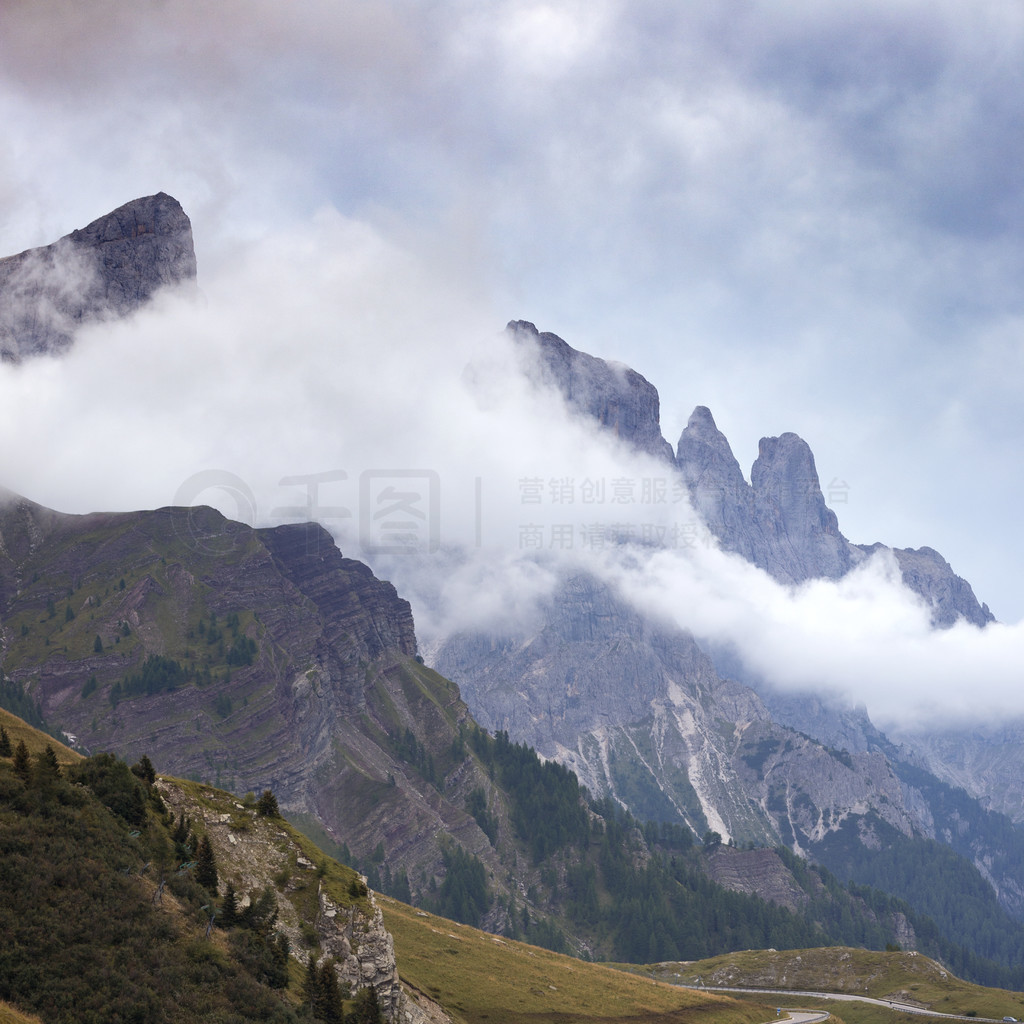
column 618, row 398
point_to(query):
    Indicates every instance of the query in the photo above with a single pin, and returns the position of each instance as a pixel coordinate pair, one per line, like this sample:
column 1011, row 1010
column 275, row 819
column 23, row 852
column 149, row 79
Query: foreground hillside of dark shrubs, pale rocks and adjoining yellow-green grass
column 106, row 921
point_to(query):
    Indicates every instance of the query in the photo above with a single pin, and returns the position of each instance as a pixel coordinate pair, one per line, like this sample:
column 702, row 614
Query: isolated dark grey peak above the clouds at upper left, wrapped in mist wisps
column 102, row 272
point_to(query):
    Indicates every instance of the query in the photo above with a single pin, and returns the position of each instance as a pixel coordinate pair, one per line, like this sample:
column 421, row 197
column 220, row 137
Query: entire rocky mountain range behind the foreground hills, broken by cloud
column 264, row 658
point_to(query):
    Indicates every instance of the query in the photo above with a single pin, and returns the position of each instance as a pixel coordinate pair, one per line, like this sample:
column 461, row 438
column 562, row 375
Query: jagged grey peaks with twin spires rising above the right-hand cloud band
column 780, row 522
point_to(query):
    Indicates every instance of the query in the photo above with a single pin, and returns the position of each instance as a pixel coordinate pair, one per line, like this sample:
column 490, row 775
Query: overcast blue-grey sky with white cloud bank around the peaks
column 806, row 217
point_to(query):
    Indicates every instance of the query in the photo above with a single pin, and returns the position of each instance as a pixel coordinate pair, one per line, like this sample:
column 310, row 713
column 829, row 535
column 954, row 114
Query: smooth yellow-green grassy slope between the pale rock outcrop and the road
column 479, row 977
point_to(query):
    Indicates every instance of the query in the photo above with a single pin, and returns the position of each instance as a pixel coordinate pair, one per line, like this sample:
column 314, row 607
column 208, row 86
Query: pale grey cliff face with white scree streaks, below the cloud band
column 639, row 713
